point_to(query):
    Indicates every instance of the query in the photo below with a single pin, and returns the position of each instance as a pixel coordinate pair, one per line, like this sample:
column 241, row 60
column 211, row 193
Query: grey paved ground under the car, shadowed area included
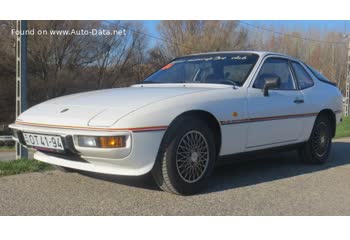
column 275, row 185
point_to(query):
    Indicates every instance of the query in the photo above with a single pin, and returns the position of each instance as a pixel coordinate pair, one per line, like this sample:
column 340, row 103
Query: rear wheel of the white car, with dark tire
column 317, row 149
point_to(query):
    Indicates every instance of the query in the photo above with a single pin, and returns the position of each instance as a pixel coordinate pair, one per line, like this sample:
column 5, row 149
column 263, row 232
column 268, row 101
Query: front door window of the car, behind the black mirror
column 275, row 67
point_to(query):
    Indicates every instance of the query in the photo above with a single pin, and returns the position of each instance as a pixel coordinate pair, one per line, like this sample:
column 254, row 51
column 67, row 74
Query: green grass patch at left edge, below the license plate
column 23, row 166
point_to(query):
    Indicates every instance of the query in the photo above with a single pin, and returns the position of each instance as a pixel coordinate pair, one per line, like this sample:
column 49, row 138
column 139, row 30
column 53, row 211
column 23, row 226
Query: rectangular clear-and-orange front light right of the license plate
column 102, row 142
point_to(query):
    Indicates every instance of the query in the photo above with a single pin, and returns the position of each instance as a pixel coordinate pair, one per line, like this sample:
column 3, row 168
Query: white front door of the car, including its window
column 273, row 119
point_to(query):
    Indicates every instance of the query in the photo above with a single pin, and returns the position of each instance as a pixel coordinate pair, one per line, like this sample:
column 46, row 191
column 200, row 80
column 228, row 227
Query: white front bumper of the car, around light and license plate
column 137, row 159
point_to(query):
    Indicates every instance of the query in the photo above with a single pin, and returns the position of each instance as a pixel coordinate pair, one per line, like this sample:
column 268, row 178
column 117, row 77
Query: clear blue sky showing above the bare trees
column 326, row 25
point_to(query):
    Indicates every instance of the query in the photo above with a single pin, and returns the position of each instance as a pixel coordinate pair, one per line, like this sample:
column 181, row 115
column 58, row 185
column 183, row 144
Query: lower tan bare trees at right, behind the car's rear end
column 320, row 49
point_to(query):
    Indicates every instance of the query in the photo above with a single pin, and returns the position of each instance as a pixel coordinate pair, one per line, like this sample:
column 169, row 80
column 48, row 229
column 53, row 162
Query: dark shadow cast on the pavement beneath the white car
column 252, row 171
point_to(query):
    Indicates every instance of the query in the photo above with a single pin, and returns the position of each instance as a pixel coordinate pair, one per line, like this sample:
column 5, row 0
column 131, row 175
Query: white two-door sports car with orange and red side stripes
column 185, row 117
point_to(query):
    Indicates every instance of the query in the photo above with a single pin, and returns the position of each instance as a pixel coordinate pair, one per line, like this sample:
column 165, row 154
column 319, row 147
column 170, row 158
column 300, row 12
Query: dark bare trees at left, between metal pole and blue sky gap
column 61, row 62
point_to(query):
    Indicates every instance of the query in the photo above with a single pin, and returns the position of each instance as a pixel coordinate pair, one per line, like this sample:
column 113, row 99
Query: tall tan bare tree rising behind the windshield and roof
column 186, row 37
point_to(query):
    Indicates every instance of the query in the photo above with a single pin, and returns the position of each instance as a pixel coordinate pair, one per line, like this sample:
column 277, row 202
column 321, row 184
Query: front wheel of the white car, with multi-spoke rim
column 180, row 167
